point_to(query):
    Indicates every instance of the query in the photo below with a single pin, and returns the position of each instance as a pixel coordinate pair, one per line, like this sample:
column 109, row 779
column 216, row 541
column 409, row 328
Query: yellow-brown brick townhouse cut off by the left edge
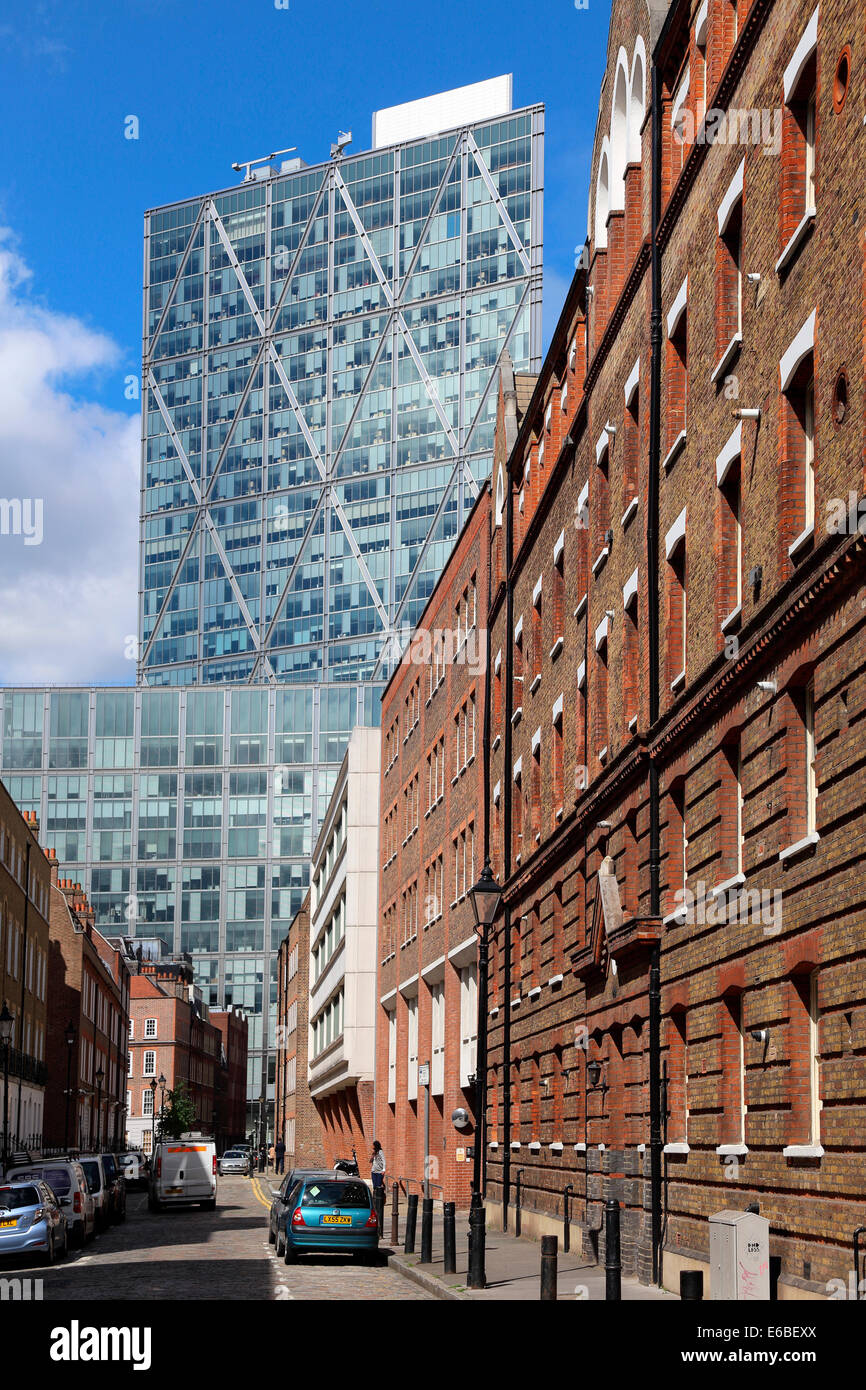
column 24, row 958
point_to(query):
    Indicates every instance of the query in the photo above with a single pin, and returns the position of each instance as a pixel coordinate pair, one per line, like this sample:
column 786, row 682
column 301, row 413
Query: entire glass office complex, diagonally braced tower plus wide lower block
column 319, row 404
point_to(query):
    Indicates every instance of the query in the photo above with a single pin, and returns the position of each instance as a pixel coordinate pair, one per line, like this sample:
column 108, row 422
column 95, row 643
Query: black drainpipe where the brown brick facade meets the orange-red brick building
column 507, row 854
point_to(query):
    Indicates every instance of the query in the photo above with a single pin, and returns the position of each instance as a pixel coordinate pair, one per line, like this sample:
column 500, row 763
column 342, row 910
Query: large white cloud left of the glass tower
column 67, row 604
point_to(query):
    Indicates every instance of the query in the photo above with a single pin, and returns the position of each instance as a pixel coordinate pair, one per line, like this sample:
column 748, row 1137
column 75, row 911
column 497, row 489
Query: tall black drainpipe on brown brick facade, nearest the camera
column 653, row 590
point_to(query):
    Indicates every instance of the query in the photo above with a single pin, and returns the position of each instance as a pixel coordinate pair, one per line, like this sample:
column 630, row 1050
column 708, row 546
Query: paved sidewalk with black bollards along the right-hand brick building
column 514, row 1267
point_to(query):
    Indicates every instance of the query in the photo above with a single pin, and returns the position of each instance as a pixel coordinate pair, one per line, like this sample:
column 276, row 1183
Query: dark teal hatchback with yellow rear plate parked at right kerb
column 332, row 1214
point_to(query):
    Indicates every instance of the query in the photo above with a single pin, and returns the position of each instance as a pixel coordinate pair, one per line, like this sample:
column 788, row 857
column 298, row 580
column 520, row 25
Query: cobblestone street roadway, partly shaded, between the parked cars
column 190, row 1253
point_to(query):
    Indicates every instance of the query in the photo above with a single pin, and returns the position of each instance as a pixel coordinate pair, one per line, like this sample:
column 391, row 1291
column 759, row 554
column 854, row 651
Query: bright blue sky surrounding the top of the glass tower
column 212, row 84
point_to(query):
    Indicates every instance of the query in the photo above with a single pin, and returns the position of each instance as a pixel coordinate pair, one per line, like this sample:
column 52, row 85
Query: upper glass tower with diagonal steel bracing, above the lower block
column 320, row 393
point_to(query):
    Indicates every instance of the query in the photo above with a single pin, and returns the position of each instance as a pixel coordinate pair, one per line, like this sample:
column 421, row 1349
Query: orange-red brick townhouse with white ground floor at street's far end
column 170, row 1036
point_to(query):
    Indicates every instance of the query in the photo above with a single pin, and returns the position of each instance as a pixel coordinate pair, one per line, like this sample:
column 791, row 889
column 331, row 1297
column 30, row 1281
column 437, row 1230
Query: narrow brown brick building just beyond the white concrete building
column 297, row 1117
